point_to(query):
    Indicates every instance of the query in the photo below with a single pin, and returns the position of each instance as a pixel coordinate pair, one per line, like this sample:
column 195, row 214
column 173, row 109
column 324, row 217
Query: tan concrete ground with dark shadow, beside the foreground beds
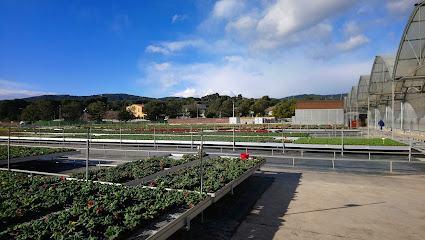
column 312, row 205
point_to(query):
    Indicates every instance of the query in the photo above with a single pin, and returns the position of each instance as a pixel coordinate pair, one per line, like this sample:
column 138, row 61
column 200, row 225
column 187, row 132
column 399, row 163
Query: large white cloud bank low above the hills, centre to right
column 255, row 78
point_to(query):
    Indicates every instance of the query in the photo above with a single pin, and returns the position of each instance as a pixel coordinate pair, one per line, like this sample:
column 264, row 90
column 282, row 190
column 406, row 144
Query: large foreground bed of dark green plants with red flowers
column 94, row 211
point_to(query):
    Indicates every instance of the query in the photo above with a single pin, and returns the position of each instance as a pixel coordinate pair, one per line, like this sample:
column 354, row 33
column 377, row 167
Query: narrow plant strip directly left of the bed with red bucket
column 135, row 170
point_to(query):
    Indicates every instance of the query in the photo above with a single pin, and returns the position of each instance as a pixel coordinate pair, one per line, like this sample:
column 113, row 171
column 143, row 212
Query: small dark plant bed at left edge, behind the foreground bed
column 18, row 152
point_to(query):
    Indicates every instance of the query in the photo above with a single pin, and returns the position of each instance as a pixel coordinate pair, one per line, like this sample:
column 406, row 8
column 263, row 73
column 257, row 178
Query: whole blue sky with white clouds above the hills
column 194, row 48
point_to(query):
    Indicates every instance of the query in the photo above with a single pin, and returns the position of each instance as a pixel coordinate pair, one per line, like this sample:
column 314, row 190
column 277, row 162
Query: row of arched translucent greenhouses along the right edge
column 394, row 90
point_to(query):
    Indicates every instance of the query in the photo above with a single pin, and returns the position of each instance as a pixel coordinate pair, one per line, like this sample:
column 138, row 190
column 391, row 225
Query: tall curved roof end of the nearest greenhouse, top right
column 410, row 55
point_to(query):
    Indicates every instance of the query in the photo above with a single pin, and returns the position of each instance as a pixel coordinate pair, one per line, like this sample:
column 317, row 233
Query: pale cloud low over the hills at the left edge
column 13, row 90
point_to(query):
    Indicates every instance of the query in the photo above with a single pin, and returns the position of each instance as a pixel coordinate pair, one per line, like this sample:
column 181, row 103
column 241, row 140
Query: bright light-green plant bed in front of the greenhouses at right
column 350, row 141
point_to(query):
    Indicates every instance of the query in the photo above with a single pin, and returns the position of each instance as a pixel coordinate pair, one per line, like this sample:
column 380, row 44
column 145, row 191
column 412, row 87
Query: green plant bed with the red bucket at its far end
column 217, row 172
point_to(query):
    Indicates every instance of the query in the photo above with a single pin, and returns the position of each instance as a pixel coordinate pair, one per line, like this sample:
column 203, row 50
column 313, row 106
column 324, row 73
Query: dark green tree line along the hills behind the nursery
column 95, row 109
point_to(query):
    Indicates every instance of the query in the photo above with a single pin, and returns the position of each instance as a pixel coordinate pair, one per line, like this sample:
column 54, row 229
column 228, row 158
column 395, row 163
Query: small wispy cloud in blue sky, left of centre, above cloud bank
column 167, row 48
